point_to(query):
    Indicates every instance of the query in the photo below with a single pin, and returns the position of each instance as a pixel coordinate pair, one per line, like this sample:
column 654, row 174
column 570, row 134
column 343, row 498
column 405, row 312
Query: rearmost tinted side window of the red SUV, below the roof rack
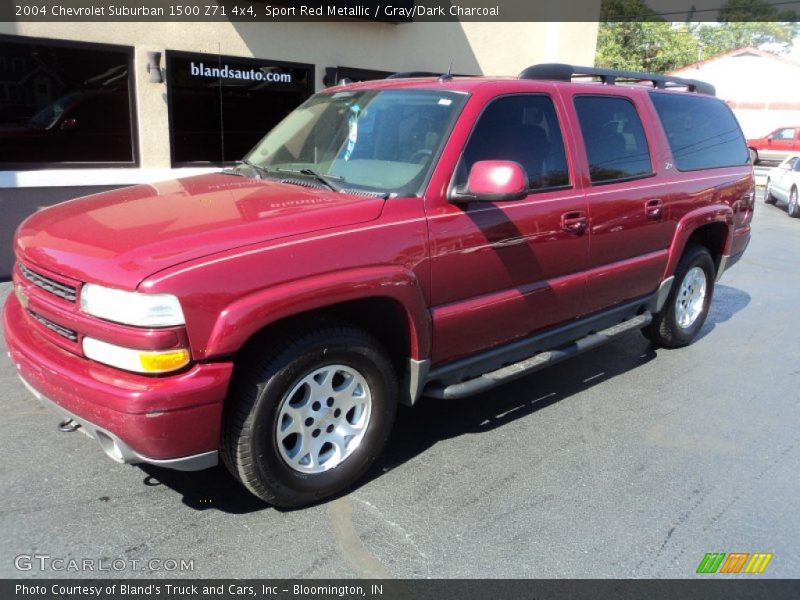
column 702, row 132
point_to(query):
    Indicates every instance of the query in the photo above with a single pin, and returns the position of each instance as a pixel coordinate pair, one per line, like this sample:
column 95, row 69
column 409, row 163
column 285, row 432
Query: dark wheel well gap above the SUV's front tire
column 384, row 318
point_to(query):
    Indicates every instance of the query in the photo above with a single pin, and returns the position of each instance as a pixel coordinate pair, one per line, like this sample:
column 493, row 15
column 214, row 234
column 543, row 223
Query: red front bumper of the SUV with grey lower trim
column 170, row 421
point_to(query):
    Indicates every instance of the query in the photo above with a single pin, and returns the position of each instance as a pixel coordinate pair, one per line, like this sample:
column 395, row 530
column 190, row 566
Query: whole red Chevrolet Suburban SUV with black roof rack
column 386, row 241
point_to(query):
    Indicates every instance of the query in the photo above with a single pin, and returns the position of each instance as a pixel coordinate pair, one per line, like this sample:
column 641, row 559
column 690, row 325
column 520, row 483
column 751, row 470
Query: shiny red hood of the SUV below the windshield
column 118, row 238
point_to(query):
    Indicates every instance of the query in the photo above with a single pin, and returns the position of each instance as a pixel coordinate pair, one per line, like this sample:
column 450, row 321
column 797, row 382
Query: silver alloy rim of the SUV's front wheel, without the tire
column 323, row 418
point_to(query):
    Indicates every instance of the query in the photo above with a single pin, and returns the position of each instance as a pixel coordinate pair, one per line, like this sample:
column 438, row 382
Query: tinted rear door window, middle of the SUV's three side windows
column 615, row 141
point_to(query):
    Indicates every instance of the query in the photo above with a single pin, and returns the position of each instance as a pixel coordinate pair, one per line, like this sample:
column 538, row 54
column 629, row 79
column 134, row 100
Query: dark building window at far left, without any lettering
column 65, row 104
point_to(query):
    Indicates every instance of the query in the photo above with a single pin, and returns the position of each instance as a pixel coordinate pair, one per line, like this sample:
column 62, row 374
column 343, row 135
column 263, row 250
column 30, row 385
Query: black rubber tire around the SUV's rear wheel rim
column 665, row 330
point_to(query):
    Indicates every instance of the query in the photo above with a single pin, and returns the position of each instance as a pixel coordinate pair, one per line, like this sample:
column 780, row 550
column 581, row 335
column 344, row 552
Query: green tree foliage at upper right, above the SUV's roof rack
column 633, row 36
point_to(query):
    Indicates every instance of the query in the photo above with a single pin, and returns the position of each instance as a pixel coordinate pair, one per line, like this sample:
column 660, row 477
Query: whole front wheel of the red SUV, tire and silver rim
column 306, row 421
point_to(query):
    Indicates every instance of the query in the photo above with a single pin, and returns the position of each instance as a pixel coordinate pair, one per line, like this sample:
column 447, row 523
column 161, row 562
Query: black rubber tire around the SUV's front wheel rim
column 249, row 444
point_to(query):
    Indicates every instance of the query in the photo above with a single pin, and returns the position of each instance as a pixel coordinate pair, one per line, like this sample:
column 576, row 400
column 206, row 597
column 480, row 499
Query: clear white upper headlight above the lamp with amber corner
column 131, row 308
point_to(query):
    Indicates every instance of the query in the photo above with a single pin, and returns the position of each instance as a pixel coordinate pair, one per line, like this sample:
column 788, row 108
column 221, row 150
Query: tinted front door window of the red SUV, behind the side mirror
column 524, row 129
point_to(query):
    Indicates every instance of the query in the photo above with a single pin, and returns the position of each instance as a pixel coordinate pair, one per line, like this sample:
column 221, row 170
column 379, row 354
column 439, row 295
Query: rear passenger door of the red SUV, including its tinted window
column 628, row 207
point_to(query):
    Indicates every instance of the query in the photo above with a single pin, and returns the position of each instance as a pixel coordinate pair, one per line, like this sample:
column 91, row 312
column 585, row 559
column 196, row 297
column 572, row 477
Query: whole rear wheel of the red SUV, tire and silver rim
column 688, row 303
